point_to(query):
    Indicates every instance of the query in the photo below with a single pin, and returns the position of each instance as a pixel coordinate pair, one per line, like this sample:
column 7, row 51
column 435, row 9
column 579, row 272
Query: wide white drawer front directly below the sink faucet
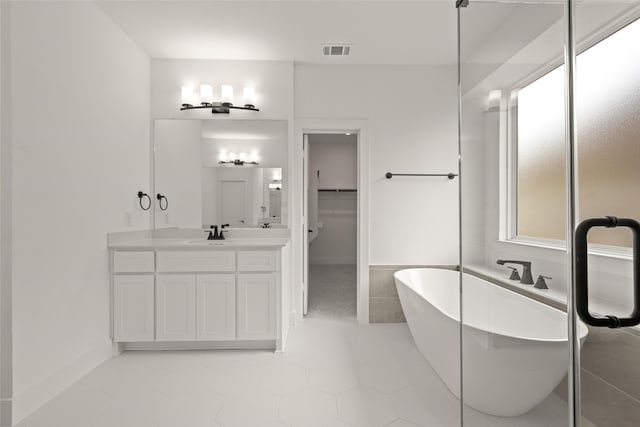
column 196, row 261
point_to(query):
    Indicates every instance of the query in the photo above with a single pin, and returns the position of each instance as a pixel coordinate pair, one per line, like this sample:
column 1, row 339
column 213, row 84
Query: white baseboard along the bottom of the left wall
column 28, row 401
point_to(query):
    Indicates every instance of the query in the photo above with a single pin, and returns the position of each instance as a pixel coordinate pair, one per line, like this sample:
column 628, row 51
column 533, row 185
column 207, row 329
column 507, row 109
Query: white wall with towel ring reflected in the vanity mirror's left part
column 178, row 172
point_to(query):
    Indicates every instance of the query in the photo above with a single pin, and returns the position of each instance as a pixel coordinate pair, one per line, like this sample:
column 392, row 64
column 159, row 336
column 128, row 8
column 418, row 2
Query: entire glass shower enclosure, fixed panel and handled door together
column 549, row 202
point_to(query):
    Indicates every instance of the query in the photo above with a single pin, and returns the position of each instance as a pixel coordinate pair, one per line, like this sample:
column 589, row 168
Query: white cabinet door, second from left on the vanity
column 176, row 307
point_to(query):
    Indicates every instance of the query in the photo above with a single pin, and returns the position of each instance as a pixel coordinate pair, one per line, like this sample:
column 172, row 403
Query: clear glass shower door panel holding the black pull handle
column 607, row 153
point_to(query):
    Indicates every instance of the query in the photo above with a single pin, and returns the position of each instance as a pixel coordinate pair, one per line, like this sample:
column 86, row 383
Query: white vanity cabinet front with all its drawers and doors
column 196, row 295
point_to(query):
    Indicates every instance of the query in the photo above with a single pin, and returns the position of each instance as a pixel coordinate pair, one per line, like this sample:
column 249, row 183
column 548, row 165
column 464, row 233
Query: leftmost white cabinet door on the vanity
column 133, row 308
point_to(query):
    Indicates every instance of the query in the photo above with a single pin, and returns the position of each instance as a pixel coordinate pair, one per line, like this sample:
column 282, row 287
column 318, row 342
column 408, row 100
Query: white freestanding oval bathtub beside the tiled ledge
column 515, row 349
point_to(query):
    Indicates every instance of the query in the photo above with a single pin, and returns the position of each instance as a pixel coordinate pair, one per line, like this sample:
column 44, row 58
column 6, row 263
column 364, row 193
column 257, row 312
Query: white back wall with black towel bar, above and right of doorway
column 411, row 127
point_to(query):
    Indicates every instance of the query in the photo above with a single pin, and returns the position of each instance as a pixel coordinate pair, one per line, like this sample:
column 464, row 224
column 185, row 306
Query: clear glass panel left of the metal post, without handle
column 513, row 207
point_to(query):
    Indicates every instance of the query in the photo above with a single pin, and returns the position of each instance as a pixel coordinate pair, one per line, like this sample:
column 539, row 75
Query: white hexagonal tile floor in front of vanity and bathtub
column 333, row 374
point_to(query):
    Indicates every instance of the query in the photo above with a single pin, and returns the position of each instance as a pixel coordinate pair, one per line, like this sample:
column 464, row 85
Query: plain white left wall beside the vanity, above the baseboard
column 80, row 135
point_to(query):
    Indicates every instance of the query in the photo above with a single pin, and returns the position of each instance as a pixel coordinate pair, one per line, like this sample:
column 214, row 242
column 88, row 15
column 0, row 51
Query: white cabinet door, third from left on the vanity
column 215, row 307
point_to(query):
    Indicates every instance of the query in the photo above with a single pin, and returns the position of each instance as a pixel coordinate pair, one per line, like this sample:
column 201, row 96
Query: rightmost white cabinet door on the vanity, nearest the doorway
column 257, row 306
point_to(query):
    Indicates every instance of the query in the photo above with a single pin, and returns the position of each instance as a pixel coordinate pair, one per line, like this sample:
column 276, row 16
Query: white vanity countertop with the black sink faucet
column 196, row 241
